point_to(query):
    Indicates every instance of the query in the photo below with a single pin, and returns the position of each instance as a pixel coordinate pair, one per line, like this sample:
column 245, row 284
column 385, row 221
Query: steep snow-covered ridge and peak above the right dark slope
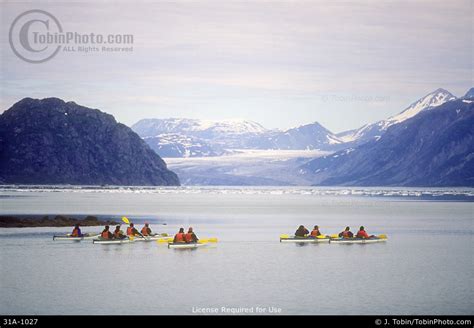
column 375, row 130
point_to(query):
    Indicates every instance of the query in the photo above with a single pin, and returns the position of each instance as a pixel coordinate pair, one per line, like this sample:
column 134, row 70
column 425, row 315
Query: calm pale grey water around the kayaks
column 425, row 267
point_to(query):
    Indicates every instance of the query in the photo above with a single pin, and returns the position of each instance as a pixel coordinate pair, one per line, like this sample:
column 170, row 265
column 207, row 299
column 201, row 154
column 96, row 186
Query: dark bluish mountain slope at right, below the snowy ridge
column 433, row 148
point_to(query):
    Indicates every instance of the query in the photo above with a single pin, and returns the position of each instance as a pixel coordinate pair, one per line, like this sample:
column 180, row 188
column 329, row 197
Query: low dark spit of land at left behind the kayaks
column 31, row 221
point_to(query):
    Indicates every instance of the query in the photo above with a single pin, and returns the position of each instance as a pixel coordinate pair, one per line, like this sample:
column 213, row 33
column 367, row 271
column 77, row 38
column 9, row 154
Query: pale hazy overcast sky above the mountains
column 279, row 63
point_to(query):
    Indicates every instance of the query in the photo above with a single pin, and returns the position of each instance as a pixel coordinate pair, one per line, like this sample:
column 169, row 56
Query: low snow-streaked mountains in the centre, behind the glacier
column 194, row 138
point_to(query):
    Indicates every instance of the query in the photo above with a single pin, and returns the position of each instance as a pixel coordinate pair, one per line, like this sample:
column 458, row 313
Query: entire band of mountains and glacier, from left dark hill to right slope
column 49, row 141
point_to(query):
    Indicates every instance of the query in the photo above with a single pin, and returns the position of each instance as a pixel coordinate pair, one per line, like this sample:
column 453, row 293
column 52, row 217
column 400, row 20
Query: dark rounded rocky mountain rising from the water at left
column 50, row 141
